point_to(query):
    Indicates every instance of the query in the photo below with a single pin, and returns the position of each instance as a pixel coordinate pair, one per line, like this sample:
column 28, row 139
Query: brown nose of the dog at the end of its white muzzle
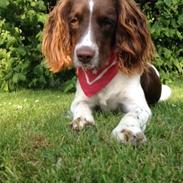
column 85, row 54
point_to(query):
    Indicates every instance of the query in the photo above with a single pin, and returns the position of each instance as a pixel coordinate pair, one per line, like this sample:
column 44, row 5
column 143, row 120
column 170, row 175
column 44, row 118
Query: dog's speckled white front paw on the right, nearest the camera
column 127, row 136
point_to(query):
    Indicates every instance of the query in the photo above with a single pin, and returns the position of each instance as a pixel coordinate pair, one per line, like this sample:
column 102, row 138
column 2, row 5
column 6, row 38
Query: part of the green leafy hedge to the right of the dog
column 166, row 26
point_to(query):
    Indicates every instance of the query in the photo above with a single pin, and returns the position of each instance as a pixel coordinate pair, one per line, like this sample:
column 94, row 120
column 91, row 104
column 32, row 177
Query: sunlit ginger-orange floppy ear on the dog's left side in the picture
column 56, row 46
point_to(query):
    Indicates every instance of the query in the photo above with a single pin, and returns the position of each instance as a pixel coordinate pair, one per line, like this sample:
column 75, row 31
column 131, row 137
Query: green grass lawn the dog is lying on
column 36, row 144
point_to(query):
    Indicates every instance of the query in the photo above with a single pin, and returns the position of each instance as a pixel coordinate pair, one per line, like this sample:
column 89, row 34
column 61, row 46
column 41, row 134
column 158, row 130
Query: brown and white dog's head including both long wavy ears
column 86, row 32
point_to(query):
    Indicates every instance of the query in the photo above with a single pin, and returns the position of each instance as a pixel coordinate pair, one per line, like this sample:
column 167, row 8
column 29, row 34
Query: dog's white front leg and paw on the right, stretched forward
column 130, row 129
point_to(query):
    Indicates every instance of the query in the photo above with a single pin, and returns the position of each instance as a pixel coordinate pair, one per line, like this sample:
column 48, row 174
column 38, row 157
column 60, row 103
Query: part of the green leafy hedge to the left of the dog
column 21, row 65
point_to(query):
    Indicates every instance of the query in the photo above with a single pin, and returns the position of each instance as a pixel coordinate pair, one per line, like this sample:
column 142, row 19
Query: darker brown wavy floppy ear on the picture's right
column 134, row 45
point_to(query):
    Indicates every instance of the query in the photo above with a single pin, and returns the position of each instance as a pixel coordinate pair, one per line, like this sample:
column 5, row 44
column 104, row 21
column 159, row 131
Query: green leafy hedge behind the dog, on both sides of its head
column 21, row 25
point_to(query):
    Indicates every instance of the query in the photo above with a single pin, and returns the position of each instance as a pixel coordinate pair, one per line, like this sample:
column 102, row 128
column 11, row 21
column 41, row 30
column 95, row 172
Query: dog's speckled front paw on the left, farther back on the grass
column 79, row 123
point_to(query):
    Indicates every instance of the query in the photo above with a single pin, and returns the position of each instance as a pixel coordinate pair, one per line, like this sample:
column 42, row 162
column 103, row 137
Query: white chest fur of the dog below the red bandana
column 118, row 92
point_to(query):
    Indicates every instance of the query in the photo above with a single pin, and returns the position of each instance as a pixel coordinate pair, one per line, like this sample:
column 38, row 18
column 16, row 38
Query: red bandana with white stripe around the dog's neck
column 92, row 81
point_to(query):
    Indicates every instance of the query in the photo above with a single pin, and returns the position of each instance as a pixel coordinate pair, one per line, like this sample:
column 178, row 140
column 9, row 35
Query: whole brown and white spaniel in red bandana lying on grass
column 111, row 48
